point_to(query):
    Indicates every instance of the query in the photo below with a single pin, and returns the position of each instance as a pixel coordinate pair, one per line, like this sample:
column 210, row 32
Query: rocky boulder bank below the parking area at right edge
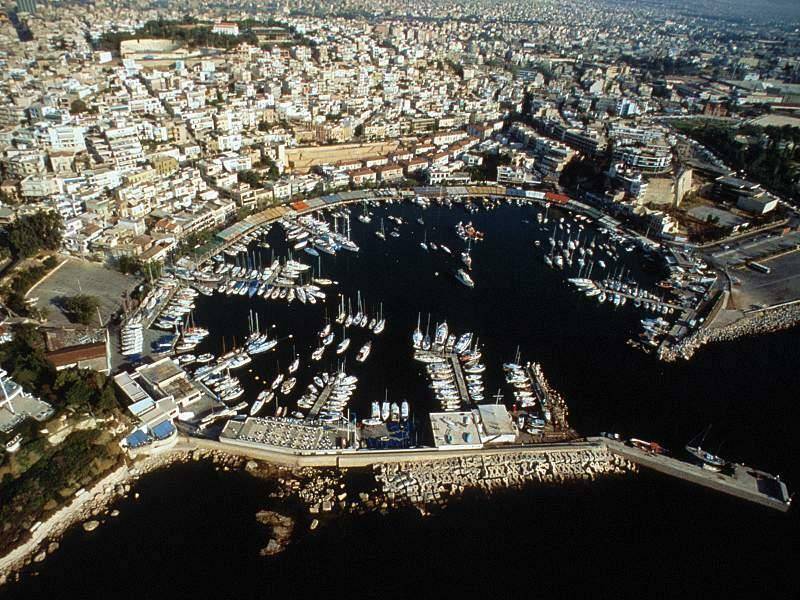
column 767, row 321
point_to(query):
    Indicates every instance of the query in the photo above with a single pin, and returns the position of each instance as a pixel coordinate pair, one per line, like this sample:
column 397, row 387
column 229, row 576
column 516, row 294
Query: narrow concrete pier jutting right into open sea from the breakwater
column 744, row 482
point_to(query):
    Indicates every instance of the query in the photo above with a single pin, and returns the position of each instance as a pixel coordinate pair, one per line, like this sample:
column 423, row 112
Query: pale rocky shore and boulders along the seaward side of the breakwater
column 325, row 492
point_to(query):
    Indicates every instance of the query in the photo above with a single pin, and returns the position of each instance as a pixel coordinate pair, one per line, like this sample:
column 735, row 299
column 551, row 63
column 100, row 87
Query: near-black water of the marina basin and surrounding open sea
column 193, row 534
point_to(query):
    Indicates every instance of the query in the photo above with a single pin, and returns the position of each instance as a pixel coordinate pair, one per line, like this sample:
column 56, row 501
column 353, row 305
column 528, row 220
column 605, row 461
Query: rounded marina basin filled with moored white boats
column 328, row 378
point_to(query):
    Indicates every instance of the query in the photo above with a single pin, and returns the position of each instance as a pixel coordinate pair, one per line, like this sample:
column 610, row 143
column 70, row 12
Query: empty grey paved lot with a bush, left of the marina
column 82, row 277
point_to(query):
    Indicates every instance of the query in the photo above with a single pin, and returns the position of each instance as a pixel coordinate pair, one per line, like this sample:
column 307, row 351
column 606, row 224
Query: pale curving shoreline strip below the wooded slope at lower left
column 91, row 507
